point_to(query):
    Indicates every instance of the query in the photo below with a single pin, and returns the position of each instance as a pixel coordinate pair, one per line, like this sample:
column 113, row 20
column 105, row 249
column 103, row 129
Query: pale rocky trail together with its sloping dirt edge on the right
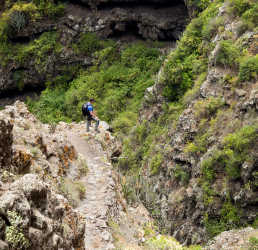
column 110, row 222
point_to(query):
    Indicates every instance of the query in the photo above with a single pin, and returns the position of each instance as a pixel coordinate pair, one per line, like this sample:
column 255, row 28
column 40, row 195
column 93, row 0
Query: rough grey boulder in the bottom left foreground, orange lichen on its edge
column 48, row 222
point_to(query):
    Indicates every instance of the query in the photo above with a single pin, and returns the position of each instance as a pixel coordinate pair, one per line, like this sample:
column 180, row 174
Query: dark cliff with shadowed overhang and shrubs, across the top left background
column 29, row 63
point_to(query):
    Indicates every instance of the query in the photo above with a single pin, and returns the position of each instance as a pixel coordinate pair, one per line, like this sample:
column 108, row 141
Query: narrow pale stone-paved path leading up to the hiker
column 100, row 194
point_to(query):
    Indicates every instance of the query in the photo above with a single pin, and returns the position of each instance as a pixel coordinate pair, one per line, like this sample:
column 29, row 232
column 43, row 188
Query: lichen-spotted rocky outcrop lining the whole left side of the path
column 45, row 163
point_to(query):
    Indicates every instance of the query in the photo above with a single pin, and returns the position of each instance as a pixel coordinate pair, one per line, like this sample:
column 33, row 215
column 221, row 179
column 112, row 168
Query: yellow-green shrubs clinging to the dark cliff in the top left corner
column 15, row 16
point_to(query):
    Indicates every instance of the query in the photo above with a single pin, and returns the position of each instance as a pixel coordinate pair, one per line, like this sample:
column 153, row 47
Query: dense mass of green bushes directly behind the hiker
column 118, row 88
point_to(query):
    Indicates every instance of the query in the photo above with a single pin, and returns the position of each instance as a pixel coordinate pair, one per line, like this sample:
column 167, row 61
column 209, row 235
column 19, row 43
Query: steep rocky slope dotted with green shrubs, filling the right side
column 203, row 163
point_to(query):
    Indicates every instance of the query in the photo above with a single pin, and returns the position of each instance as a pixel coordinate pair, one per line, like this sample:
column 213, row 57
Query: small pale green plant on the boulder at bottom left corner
column 14, row 233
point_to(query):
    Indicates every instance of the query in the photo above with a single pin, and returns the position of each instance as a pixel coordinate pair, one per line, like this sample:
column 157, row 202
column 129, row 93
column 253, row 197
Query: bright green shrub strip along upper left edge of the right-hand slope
column 189, row 60
